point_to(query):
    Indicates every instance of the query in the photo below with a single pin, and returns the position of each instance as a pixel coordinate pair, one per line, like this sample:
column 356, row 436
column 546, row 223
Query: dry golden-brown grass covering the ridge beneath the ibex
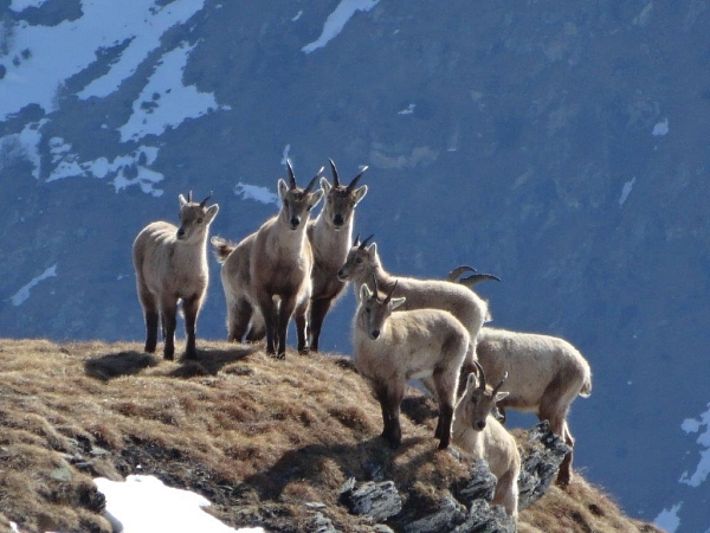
column 257, row 436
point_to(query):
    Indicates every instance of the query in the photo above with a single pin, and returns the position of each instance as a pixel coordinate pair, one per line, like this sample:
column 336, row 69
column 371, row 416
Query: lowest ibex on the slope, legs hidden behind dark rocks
column 477, row 433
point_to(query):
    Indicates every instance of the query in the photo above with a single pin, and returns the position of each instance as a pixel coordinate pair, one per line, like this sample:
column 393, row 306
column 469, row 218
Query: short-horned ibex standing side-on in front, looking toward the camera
column 393, row 347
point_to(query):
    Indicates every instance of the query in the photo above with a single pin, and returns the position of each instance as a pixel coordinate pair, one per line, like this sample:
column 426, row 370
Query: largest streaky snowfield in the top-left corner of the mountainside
column 37, row 68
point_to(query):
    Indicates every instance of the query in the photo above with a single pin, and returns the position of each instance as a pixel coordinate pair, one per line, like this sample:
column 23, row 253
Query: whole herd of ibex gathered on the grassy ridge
column 403, row 328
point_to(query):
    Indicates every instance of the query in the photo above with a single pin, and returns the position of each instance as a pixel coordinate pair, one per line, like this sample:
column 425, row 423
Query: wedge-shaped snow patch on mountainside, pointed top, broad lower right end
column 165, row 102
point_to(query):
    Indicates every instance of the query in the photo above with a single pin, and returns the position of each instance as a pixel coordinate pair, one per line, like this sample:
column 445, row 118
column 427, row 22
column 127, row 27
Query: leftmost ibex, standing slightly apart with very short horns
column 171, row 265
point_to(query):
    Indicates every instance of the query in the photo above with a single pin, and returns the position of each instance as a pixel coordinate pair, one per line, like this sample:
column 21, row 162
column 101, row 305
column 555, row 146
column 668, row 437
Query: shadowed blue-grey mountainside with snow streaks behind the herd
column 560, row 145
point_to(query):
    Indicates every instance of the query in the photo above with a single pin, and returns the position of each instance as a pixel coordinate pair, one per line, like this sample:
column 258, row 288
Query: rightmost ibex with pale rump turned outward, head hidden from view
column 546, row 375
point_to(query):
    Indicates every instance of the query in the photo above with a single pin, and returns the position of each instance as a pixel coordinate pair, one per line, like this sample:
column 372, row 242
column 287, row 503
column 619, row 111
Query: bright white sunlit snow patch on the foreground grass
column 143, row 504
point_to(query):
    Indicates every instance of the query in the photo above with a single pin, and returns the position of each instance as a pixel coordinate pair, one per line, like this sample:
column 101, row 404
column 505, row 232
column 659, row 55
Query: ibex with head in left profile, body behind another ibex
column 363, row 263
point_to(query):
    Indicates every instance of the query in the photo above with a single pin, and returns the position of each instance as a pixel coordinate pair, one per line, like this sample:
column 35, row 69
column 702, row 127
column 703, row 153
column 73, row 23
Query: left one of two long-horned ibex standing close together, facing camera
column 280, row 263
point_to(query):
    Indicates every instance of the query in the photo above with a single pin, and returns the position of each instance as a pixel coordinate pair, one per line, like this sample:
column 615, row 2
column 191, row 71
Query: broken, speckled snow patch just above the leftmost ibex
column 127, row 170
